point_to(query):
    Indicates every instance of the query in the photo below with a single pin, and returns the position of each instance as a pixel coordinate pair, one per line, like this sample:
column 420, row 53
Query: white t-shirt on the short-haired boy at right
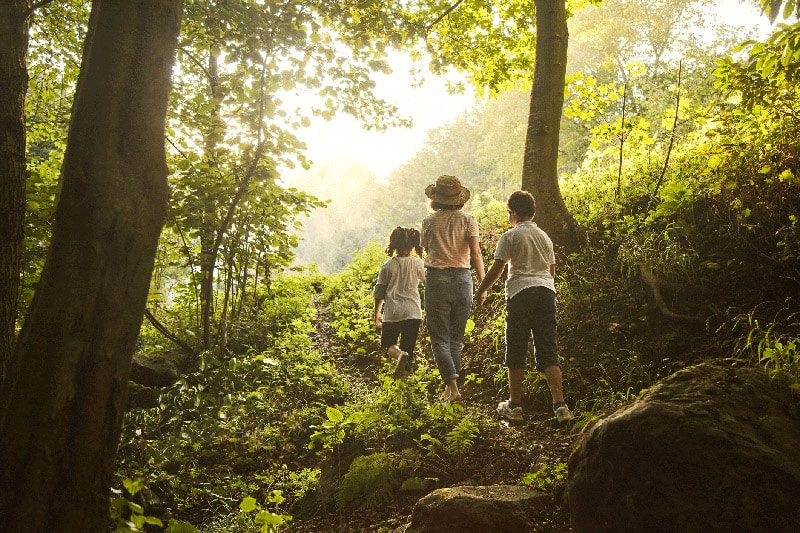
column 529, row 252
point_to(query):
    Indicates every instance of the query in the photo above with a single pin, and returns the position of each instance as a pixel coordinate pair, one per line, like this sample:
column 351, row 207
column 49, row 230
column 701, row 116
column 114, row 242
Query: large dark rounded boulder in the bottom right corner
column 715, row 447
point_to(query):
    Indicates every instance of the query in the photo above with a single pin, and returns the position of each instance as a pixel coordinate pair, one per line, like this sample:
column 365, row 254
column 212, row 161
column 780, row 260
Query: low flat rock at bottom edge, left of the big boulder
column 495, row 509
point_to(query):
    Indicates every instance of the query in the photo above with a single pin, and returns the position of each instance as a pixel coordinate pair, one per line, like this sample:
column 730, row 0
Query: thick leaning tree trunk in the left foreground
column 61, row 406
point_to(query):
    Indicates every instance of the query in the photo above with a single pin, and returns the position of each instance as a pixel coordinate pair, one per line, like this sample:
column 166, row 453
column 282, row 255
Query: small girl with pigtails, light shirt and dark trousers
column 398, row 311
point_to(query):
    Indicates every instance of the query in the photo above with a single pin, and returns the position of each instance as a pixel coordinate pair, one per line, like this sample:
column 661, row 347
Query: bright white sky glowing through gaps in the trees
column 348, row 159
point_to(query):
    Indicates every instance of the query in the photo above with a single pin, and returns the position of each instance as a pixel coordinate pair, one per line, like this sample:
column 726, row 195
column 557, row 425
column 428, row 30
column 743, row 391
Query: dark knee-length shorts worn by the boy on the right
column 532, row 313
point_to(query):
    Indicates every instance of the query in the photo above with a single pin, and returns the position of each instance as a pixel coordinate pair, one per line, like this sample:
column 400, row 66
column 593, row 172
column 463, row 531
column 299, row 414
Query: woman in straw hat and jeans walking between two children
column 450, row 238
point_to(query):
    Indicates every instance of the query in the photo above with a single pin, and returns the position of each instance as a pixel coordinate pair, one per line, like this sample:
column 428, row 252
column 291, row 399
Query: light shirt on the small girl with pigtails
column 402, row 277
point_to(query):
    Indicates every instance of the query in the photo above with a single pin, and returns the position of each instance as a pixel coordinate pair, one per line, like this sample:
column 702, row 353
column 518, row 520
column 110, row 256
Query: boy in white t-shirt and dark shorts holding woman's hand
column 530, row 304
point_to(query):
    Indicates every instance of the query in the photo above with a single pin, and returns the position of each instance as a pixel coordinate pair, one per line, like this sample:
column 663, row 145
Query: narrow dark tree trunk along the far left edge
column 14, row 25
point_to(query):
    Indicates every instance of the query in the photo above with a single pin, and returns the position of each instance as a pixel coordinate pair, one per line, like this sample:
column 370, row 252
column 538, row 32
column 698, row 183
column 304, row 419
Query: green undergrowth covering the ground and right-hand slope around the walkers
column 679, row 264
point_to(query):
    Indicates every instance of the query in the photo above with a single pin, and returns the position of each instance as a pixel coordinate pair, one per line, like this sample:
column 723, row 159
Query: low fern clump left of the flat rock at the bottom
column 370, row 479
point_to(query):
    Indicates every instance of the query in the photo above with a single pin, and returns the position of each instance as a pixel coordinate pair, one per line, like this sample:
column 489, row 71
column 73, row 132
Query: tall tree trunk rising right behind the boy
column 540, row 161
